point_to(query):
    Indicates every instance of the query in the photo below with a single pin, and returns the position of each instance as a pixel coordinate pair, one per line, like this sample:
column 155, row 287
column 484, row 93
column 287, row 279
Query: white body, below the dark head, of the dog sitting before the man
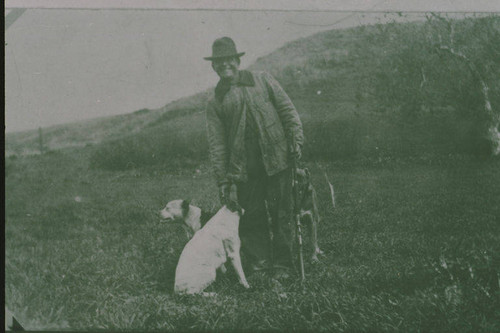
column 208, row 250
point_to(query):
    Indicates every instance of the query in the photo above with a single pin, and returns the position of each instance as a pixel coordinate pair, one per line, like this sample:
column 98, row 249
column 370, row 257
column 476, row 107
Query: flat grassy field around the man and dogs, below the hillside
column 413, row 245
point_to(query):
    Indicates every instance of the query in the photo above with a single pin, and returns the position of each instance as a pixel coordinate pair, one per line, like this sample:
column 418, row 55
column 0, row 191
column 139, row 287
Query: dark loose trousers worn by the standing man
column 254, row 227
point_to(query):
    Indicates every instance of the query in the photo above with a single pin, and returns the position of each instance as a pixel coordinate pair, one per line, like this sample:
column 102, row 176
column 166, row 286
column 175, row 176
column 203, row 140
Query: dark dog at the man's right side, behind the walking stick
column 308, row 204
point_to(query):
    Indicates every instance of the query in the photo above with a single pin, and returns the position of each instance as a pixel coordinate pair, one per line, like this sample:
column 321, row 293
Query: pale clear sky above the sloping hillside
column 65, row 65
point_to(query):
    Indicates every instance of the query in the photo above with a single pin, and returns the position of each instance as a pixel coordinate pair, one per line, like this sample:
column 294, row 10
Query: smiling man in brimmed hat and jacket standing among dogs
column 251, row 124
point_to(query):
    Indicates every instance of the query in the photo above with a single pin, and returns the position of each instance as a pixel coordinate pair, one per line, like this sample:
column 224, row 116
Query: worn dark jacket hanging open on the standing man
column 259, row 94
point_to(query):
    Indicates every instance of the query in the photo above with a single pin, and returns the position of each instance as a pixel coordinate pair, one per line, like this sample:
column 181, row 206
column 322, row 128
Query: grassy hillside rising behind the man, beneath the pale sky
column 375, row 91
